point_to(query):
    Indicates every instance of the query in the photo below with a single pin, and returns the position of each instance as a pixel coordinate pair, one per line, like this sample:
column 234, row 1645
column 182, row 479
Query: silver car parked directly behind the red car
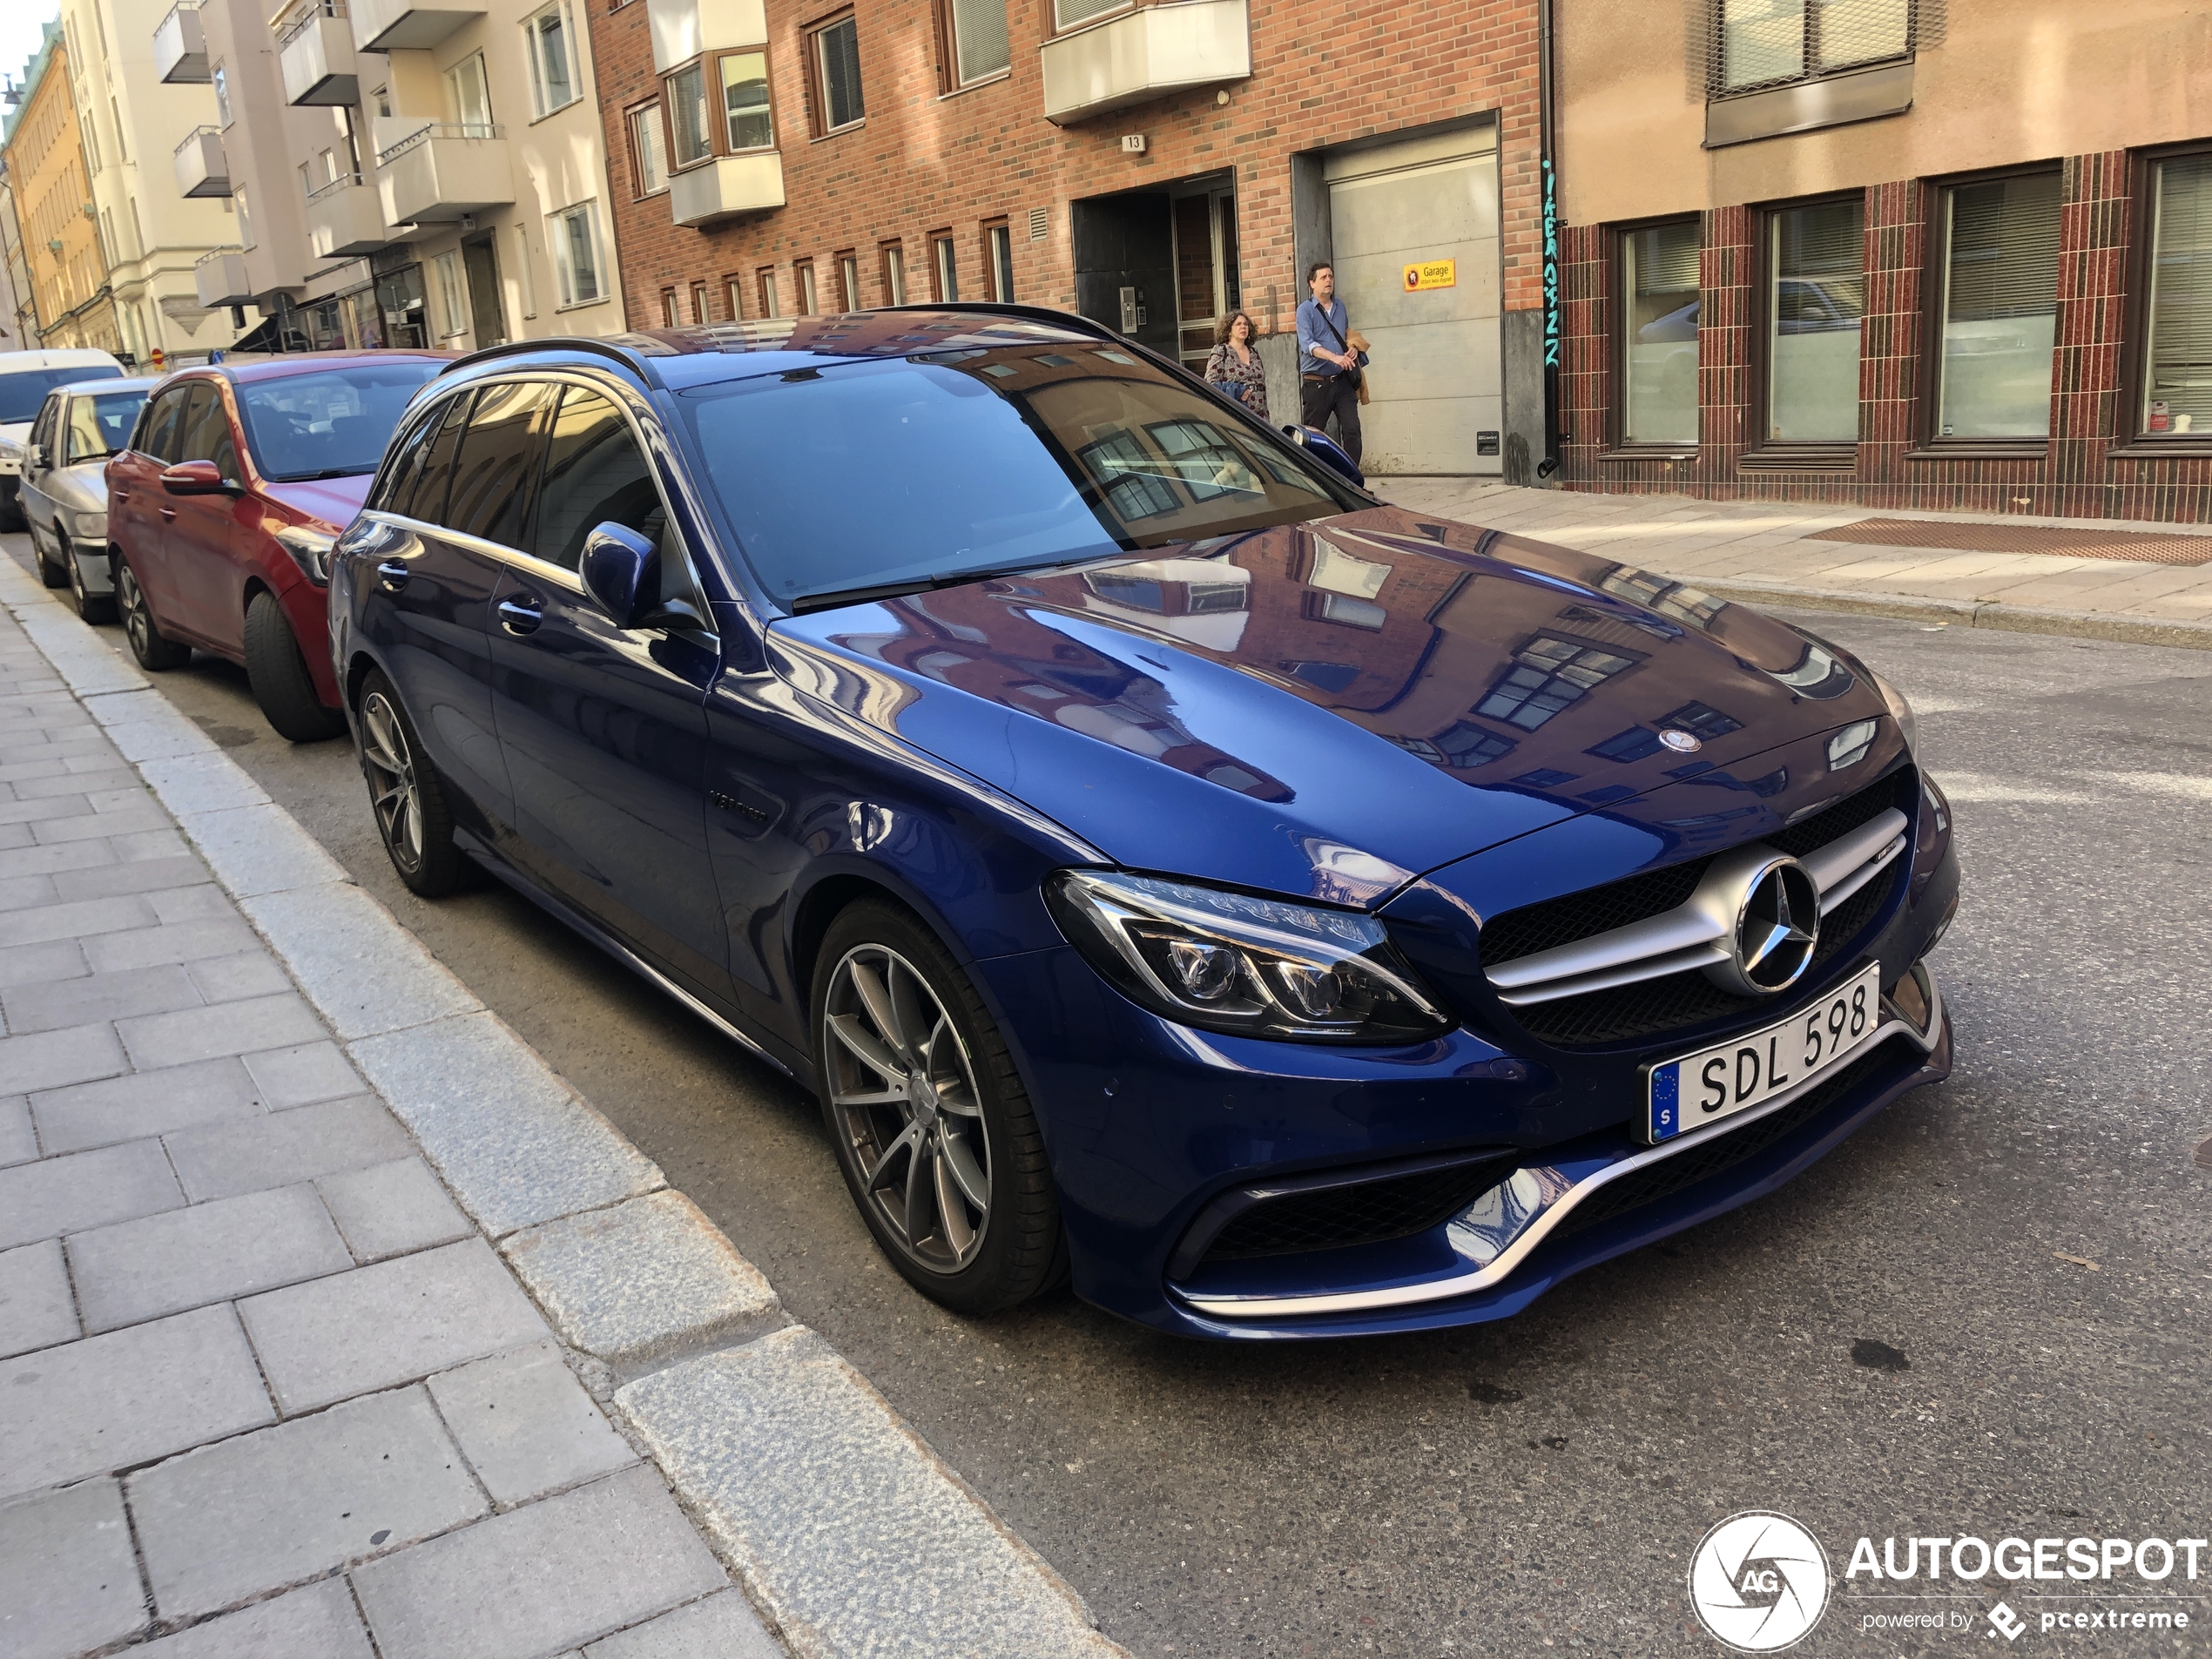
column 65, row 486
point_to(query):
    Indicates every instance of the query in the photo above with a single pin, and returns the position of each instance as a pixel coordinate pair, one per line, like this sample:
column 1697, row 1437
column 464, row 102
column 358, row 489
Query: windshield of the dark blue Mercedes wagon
column 879, row 477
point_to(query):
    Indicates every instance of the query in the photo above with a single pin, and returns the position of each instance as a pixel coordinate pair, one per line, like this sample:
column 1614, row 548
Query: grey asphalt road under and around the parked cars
column 1987, row 1315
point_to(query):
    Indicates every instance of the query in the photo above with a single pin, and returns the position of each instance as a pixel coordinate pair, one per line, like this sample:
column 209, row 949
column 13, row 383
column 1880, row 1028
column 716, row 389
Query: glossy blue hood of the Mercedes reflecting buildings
column 1331, row 709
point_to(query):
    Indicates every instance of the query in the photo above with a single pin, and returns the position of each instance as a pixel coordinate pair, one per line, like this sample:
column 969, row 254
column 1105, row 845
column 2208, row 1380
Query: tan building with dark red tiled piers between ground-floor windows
column 1895, row 253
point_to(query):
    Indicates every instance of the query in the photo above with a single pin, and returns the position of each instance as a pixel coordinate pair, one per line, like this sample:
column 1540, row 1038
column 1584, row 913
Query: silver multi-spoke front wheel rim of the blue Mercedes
column 904, row 1098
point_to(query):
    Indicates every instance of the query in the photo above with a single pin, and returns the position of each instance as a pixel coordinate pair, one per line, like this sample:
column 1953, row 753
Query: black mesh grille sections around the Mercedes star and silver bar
column 1684, row 1001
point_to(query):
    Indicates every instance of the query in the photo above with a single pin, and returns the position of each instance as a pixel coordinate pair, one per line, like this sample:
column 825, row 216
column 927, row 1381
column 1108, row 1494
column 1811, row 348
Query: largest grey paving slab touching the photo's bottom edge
column 543, row 1578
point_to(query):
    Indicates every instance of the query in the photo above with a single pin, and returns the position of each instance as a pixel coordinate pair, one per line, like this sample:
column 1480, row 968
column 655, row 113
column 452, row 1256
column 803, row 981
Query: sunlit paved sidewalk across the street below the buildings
column 1768, row 552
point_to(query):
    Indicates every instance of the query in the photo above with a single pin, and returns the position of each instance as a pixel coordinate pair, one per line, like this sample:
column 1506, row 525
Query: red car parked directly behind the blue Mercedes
column 227, row 503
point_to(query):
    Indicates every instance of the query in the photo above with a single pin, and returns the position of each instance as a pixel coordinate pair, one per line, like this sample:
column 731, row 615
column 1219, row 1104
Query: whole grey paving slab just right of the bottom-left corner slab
column 284, row 1505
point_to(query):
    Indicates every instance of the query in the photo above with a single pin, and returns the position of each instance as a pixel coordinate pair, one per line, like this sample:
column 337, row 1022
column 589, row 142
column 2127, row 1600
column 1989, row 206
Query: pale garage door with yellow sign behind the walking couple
column 1437, row 348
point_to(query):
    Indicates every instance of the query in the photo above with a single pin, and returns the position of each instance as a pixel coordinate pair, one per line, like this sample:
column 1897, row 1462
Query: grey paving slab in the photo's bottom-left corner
column 67, row 1576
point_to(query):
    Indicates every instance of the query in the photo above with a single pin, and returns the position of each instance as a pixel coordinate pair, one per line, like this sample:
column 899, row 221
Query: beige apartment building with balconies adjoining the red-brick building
column 401, row 176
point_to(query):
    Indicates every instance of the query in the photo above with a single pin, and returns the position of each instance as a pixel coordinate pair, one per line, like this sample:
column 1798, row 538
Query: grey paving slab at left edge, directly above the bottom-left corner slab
column 121, row 1399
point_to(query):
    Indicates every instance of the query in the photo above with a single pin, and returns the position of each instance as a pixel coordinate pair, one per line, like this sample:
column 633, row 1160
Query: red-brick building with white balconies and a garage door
column 1151, row 167
